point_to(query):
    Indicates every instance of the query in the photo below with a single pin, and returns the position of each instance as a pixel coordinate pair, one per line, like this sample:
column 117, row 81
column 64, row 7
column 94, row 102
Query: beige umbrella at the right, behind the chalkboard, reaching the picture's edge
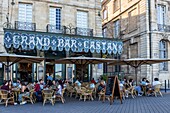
column 136, row 62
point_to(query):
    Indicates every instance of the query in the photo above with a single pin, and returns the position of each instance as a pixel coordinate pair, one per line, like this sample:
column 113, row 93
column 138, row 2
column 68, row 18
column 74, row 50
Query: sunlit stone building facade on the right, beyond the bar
column 144, row 27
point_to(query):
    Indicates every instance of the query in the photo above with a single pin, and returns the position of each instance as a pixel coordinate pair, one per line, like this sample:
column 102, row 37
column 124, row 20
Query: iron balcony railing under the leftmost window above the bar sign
column 25, row 26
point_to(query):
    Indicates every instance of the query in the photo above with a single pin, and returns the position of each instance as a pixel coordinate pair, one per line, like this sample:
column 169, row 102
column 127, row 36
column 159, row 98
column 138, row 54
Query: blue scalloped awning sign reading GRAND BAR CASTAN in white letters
column 44, row 41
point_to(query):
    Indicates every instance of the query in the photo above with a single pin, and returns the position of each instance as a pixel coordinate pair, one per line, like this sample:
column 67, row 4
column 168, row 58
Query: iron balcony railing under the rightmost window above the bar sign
column 84, row 31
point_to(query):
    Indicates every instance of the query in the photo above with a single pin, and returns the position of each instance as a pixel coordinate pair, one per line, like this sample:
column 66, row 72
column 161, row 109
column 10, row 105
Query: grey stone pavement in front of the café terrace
column 138, row 105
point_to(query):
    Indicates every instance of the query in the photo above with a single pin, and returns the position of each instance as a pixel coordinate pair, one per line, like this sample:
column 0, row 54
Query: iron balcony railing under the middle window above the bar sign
column 52, row 29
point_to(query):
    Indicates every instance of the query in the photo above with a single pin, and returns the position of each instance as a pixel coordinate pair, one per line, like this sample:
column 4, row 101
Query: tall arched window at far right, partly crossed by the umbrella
column 163, row 53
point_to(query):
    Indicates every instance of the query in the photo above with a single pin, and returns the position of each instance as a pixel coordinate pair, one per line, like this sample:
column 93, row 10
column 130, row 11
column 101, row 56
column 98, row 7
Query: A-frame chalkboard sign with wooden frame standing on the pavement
column 112, row 89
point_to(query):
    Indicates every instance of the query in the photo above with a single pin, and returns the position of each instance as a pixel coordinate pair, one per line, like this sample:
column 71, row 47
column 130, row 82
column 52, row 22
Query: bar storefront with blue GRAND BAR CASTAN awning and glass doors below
column 54, row 46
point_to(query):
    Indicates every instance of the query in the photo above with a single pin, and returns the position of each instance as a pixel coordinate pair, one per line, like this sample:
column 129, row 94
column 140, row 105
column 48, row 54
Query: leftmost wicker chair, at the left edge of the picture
column 6, row 97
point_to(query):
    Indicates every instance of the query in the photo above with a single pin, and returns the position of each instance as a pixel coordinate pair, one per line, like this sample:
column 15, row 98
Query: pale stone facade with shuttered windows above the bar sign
column 68, row 13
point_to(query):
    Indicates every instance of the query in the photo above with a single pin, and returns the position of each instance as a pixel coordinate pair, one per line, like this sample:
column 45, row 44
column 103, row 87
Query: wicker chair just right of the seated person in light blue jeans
column 29, row 97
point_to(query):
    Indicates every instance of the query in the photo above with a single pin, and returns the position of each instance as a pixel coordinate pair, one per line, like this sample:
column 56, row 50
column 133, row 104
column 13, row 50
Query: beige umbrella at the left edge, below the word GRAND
column 10, row 59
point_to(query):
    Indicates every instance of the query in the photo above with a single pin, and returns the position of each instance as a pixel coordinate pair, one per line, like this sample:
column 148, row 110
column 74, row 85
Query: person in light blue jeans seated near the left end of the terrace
column 24, row 92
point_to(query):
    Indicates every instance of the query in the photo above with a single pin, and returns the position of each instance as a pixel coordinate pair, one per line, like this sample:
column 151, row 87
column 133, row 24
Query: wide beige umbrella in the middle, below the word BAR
column 83, row 61
